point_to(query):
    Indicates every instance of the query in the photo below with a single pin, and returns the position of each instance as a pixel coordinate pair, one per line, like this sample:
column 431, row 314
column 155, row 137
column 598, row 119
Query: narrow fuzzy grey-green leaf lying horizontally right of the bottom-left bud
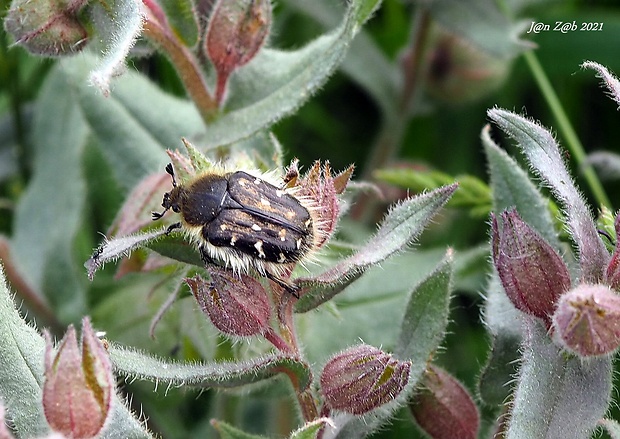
column 221, row 375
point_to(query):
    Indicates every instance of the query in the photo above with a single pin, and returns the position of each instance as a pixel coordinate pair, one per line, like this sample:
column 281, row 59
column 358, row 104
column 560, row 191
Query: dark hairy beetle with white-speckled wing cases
column 243, row 221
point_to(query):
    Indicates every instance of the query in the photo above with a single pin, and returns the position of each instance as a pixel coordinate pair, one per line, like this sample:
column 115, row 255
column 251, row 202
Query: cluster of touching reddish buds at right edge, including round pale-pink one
column 584, row 318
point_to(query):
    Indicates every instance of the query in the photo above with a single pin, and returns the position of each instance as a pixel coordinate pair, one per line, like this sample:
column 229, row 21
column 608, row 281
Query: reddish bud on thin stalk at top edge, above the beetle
column 237, row 30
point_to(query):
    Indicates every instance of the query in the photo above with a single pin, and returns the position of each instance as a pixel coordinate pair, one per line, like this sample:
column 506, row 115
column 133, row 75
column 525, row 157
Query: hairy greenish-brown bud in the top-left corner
column 47, row 27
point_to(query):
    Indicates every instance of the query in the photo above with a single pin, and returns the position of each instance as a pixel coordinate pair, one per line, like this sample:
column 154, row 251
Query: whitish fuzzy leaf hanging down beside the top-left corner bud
column 117, row 24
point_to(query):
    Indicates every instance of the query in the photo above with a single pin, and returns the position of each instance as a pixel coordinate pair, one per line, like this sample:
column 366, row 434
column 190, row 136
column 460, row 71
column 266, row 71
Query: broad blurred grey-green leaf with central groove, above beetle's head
column 135, row 124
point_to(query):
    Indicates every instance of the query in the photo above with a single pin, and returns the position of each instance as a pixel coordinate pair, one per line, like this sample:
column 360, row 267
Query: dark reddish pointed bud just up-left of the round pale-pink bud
column 532, row 273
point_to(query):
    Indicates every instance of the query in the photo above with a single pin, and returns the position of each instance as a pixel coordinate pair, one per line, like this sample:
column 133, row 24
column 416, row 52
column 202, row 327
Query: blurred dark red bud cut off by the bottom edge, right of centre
column 443, row 408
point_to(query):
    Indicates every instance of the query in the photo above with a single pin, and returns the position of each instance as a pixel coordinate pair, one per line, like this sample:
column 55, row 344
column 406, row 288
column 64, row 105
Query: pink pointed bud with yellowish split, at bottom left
column 78, row 388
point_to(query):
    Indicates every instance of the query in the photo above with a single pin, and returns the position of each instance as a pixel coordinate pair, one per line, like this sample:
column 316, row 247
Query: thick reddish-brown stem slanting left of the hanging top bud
column 186, row 65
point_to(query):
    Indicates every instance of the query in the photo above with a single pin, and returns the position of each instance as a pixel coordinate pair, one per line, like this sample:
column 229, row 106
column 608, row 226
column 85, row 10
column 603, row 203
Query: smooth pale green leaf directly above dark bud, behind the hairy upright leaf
column 511, row 187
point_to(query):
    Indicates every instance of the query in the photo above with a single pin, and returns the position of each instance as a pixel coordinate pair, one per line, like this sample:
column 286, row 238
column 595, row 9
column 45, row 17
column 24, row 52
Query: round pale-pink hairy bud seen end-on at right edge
column 587, row 320
